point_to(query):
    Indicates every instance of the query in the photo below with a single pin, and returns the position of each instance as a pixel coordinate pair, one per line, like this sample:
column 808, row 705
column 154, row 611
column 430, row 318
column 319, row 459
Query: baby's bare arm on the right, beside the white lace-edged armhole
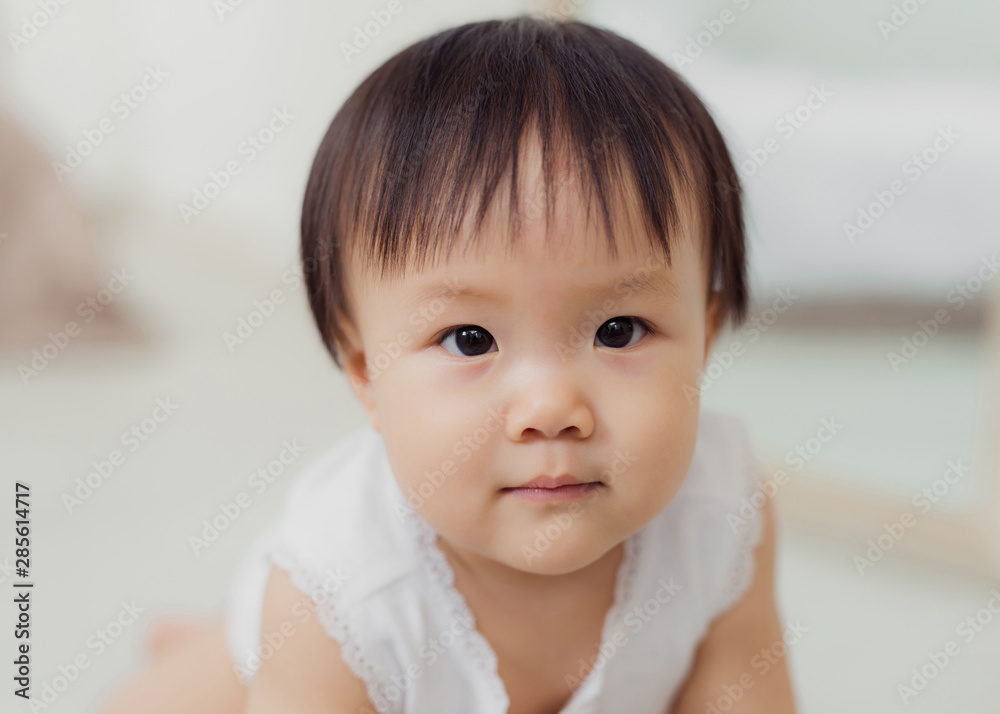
column 724, row 656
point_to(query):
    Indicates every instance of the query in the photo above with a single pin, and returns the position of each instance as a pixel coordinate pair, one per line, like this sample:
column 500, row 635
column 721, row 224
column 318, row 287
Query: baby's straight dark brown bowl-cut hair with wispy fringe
column 441, row 123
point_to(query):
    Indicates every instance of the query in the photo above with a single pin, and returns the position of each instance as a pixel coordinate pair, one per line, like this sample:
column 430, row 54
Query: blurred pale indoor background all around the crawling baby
column 153, row 158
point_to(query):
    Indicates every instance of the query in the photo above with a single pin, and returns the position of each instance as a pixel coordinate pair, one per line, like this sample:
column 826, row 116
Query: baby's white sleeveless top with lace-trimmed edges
column 386, row 593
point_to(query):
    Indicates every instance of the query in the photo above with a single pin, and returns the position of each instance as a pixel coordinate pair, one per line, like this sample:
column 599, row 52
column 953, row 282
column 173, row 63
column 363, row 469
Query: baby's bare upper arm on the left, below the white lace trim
column 305, row 674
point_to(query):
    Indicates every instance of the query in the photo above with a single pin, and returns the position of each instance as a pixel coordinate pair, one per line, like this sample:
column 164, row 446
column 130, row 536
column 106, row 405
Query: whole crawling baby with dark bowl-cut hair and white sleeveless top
column 520, row 239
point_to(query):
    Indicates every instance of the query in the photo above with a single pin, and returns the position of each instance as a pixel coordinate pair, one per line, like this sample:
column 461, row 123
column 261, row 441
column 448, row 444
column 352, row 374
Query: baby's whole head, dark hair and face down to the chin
column 497, row 330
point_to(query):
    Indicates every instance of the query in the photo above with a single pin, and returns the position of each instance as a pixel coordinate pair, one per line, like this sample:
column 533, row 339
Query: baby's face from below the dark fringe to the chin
column 544, row 363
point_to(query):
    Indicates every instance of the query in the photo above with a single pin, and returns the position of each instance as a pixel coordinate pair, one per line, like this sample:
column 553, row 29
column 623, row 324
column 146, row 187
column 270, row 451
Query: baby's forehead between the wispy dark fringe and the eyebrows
column 556, row 220
